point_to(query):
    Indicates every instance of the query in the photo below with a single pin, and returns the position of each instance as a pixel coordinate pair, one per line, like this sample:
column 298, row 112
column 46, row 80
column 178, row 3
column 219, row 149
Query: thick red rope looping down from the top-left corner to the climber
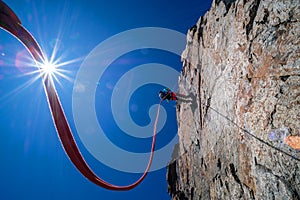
column 10, row 22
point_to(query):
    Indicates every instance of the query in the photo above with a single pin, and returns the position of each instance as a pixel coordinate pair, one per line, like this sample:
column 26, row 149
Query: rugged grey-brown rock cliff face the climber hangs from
column 239, row 97
